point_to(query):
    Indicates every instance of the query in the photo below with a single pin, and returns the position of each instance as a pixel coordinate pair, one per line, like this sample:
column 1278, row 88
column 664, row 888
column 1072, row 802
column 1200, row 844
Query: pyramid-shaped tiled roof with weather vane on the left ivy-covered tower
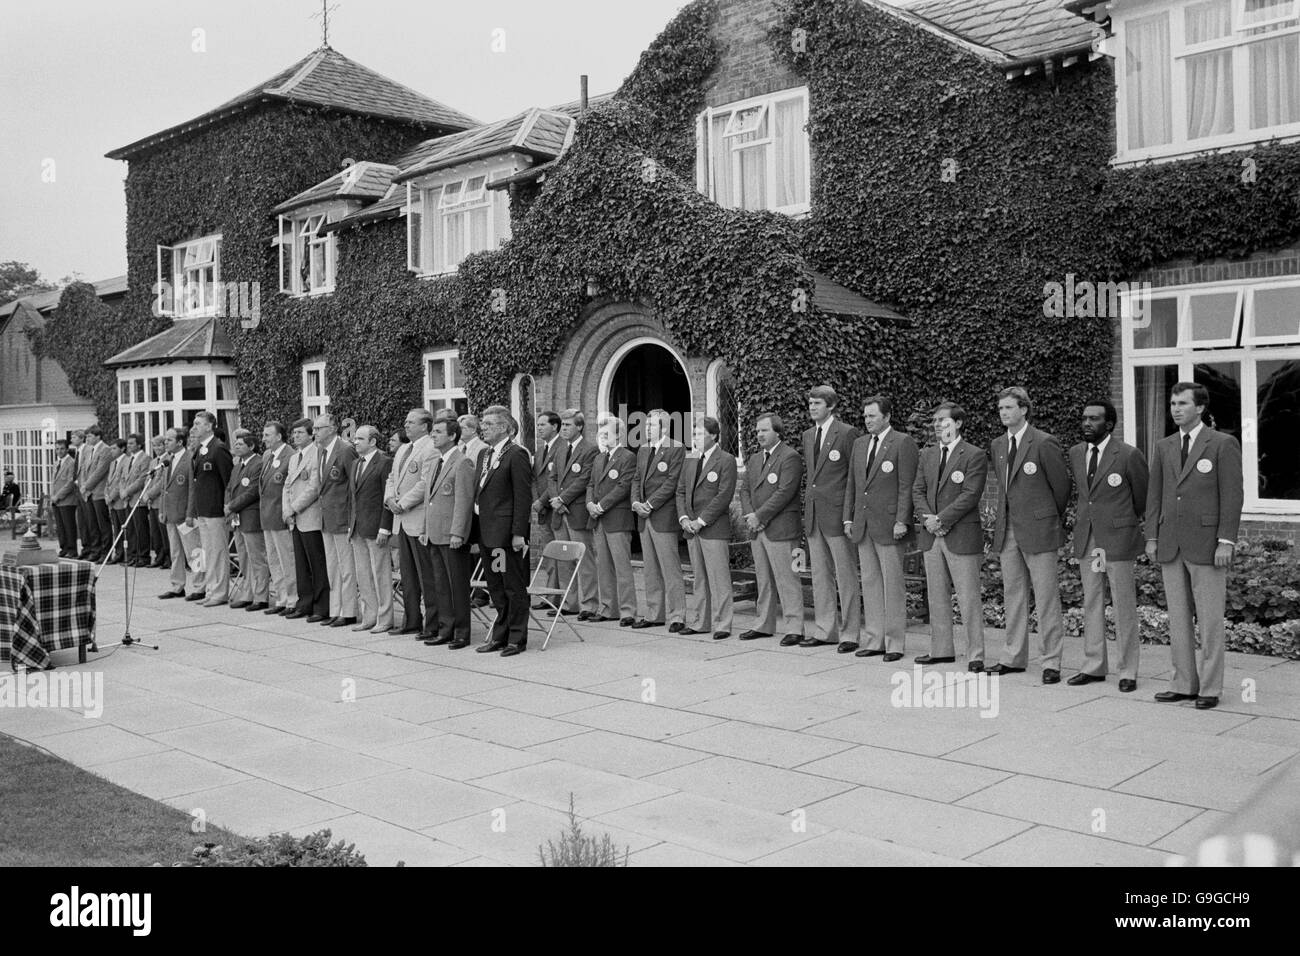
column 326, row 79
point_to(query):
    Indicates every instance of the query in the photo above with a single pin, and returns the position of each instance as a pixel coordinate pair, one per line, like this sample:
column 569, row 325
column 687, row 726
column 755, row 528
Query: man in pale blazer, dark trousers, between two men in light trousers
column 300, row 503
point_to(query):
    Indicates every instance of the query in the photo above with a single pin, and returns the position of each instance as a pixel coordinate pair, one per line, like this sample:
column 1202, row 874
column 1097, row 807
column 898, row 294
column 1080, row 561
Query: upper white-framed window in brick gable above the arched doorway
column 755, row 154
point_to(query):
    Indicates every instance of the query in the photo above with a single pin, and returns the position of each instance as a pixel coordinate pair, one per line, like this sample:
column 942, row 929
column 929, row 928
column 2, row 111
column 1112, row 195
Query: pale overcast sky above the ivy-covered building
column 81, row 79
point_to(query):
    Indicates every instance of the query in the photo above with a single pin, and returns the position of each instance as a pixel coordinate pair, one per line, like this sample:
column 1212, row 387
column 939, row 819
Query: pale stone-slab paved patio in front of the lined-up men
column 688, row 751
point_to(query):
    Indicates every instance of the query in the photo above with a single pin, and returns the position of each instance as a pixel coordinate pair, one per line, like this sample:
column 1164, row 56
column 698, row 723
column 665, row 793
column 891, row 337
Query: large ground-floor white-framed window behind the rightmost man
column 1242, row 343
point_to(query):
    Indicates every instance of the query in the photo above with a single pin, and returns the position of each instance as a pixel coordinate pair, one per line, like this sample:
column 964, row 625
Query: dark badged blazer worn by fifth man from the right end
column 876, row 501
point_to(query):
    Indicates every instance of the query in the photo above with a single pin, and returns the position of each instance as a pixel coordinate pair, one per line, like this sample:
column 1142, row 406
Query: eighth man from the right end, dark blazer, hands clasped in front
column 704, row 505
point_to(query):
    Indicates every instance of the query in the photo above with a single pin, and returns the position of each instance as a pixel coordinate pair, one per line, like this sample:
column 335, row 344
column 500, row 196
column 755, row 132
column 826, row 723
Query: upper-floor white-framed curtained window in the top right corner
column 1207, row 75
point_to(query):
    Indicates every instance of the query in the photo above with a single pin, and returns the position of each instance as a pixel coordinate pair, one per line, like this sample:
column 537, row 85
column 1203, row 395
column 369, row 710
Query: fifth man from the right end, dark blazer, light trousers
column 878, row 518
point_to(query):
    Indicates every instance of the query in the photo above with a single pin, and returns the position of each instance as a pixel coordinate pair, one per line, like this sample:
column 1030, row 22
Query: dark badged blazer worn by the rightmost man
column 1190, row 509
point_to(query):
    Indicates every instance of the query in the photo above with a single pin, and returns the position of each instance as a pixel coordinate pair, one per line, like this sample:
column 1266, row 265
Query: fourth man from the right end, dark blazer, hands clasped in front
column 947, row 496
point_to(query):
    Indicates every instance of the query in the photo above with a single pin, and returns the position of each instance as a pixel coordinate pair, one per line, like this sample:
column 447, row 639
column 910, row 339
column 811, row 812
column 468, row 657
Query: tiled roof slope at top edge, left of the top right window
column 1020, row 29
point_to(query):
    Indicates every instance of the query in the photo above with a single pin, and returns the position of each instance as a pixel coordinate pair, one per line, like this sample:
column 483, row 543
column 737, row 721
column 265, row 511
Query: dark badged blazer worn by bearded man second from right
column 1111, row 509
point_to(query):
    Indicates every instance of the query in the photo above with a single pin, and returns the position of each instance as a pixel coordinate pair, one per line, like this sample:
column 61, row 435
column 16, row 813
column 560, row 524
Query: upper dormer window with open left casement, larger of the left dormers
column 452, row 220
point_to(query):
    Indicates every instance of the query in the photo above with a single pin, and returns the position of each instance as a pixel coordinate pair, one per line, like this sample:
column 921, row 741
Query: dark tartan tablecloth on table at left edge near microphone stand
column 46, row 608
